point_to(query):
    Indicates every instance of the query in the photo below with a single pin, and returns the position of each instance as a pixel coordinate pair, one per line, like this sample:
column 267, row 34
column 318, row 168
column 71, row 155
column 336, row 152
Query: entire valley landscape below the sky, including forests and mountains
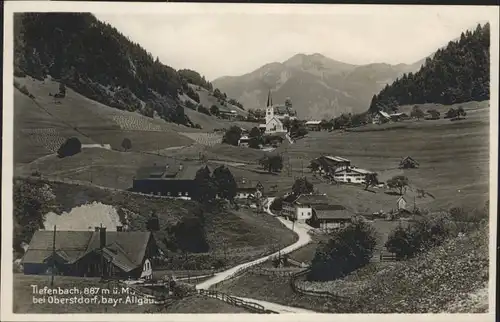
column 366, row 195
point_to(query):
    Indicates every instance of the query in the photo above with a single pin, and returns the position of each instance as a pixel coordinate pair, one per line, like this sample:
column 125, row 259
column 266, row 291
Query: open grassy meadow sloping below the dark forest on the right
column 453, row 157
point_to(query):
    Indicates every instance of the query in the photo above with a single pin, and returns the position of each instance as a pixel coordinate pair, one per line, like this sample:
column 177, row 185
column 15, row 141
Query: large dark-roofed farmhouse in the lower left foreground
column 113, row 254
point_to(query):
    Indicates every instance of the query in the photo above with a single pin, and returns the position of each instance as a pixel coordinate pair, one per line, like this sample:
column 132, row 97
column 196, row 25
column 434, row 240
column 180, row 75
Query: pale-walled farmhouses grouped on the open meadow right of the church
column 338, row 169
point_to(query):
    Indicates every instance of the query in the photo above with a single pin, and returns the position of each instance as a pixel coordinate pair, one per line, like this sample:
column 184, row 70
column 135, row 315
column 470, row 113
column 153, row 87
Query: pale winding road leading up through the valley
column 304, row 239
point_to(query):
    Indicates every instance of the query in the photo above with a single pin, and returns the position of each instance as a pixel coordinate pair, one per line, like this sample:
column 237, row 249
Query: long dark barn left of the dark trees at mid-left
column 176, row 181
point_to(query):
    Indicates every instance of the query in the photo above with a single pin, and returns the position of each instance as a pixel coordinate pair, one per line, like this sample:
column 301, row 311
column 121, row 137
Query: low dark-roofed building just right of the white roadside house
column 330, row 217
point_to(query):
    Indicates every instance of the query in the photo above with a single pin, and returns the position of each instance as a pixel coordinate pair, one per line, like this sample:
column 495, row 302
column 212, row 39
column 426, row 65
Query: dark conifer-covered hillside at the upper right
column 458, row 73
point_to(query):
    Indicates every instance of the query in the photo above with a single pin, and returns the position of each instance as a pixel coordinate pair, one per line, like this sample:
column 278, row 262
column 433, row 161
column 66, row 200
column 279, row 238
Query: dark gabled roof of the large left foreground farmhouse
column 125, row 249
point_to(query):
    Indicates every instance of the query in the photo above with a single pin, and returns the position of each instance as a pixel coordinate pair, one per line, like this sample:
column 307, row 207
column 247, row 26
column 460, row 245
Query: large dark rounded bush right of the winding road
column 347, row 250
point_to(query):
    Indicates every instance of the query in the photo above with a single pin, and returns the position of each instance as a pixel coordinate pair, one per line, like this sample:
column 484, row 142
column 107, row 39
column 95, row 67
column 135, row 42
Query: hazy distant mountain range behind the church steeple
column 319, row 87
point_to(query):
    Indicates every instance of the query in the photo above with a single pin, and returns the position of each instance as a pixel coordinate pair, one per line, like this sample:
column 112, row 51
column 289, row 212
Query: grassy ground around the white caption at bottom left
column 23, row 299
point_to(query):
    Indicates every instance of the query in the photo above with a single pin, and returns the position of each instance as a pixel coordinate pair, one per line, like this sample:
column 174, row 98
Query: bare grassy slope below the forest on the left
column 42, row 123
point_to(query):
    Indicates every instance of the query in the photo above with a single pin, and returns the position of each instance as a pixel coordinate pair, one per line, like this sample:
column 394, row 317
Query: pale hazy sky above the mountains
column 217, row 43
